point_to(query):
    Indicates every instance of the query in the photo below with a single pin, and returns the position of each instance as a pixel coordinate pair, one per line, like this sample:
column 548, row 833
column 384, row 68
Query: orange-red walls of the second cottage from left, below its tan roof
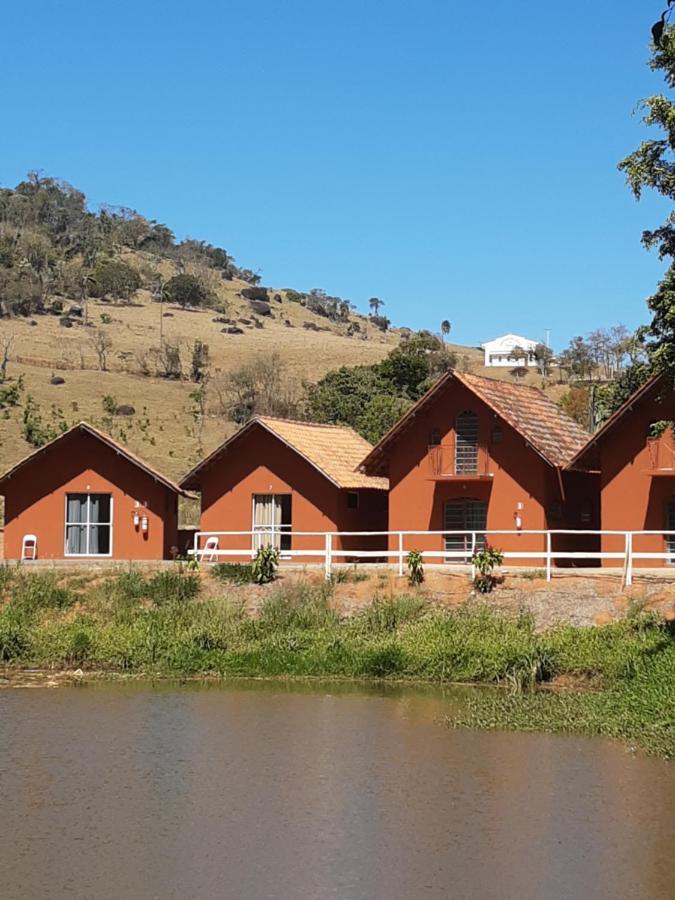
column 259, row 463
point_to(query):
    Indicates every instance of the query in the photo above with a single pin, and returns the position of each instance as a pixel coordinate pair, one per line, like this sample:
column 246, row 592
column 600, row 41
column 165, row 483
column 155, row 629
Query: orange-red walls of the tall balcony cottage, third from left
column 416, row 502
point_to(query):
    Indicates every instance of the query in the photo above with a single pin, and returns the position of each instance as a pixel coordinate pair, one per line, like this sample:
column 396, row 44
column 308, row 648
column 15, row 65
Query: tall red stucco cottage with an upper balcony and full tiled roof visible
column 477, row 454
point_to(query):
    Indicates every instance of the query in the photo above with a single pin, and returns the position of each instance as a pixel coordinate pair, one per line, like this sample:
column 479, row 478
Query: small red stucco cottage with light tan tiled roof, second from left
column 274, row 476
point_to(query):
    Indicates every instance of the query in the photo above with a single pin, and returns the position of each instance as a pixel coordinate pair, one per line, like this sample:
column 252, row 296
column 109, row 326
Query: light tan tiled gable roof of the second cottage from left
column 334, row 450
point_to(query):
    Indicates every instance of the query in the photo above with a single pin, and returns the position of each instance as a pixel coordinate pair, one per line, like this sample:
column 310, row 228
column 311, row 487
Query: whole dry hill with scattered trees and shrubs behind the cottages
column 55, row 318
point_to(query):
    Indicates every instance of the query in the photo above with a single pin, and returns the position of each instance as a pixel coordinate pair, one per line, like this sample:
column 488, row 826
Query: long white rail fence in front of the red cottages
column 397, row 544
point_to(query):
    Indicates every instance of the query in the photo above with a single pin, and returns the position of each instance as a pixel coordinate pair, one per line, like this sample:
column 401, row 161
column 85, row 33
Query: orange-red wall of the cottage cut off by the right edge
column 631, row 499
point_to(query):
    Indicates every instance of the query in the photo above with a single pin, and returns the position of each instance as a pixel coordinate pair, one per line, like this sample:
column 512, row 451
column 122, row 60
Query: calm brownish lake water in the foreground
column 257, row 791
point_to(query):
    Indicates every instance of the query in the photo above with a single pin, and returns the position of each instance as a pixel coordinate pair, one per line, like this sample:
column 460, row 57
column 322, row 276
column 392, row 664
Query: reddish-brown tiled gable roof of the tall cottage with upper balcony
column 549, row 431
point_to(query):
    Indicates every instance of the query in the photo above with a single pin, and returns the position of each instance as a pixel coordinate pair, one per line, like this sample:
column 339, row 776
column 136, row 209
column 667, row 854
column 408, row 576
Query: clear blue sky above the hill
column 457, row 160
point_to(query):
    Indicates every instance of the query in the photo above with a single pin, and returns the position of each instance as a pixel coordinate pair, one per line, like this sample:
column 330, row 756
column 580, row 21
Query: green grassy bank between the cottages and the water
column 158, row 624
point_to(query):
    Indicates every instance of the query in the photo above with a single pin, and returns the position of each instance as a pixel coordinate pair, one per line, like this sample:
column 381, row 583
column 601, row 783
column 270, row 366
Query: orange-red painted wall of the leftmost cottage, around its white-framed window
column 35, row 500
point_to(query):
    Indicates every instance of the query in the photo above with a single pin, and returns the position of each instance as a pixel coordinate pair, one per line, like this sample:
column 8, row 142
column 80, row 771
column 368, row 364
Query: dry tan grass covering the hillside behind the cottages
column 163, row 429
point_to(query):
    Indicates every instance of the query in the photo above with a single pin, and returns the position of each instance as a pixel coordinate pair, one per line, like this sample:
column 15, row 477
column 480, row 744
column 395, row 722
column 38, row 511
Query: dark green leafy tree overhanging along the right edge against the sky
column 652, row 165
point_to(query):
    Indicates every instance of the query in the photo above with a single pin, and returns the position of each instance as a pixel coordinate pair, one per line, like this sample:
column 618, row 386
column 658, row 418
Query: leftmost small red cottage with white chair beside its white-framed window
column 84, row 496
